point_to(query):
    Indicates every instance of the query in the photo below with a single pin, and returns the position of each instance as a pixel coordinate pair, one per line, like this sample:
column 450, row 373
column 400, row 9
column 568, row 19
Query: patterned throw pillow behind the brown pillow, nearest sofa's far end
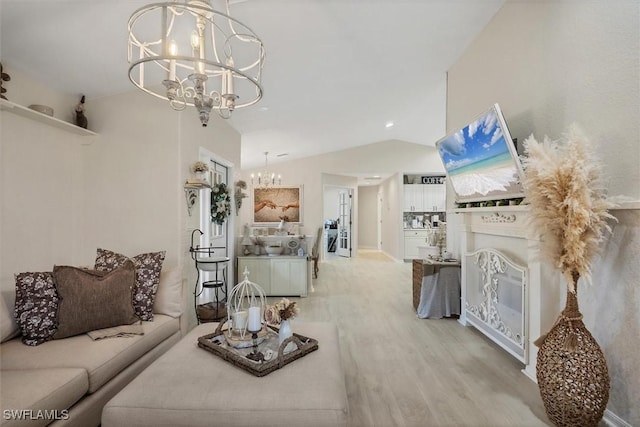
column 148, row 268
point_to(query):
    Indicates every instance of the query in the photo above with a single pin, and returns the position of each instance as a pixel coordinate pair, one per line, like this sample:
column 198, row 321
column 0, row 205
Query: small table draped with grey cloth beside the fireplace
column 436, row 288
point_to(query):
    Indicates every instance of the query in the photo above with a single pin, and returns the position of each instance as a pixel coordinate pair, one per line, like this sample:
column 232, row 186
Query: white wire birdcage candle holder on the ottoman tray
column 245, row 308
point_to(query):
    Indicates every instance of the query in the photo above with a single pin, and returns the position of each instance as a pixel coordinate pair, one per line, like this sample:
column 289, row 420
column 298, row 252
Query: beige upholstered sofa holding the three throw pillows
column 68, row 381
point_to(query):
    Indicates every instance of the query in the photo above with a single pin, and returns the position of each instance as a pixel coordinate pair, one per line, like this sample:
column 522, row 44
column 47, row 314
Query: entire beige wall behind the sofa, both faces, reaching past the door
column 64, row 195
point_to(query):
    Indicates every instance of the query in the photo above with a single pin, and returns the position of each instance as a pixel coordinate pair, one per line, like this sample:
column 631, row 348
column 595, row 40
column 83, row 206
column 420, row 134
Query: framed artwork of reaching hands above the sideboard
column 273, row 204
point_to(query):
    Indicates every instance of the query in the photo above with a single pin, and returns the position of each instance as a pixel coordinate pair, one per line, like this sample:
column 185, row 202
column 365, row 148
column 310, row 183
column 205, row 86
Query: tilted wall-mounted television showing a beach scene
column 481, row 160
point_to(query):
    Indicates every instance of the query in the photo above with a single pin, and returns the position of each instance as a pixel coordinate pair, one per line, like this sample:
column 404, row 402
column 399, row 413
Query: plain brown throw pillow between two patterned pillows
column 91, row 300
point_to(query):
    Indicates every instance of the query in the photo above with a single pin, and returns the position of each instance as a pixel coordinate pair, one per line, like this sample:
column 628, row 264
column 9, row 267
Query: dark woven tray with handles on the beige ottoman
column 278, row 356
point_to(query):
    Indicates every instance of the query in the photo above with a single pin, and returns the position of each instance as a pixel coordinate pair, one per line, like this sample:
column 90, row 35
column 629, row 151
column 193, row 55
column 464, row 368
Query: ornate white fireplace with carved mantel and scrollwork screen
column 507, row 293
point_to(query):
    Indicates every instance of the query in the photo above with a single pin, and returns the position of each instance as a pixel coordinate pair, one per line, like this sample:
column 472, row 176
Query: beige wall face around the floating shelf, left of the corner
column 40, row 222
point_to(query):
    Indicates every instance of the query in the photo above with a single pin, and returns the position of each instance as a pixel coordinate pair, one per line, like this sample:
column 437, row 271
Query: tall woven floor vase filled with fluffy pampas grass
column 569, row 210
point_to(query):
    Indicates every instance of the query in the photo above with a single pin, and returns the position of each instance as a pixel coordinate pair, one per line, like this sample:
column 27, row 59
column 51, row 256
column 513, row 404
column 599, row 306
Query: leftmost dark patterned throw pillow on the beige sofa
column 36, row 307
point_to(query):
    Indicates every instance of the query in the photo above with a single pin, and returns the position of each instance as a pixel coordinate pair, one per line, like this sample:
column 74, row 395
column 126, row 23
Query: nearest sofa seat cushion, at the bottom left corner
column 45, row 393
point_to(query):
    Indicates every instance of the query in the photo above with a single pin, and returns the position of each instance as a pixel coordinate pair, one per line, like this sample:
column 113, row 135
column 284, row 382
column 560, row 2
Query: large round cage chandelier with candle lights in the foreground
column 190, row 54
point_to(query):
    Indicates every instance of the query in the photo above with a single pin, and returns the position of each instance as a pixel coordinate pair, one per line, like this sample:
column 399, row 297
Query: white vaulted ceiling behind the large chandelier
column 336, row 71
